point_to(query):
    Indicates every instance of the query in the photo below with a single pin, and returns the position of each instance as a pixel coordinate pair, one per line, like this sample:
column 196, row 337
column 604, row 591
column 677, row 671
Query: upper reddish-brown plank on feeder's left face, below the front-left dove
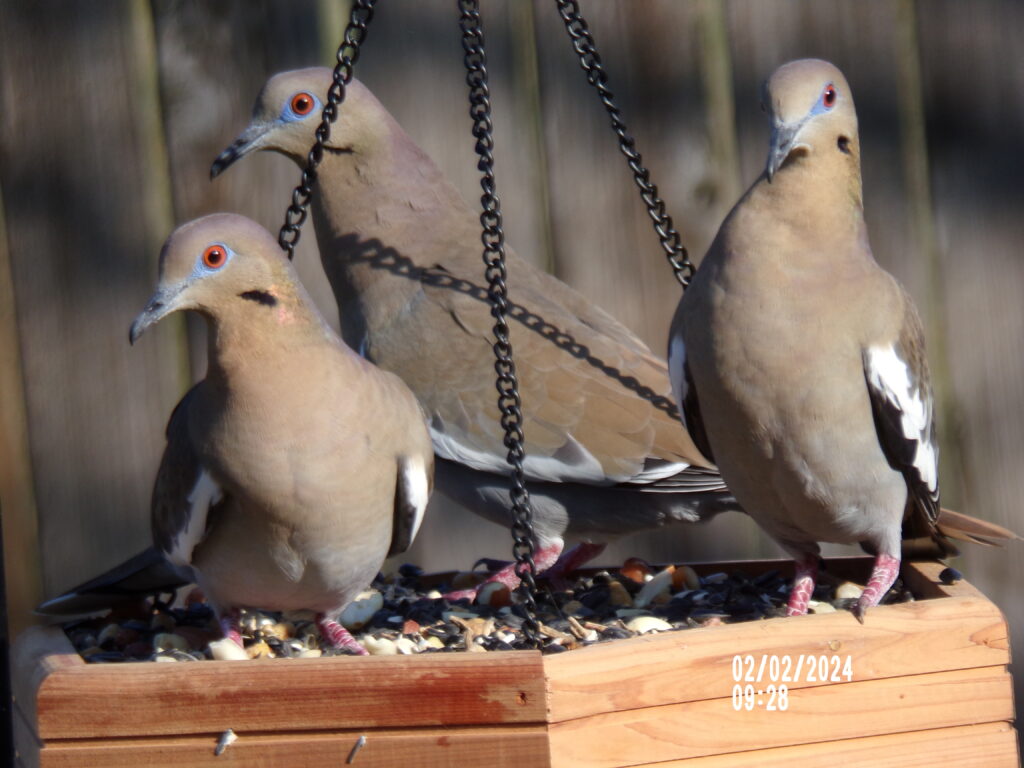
column 138, row 700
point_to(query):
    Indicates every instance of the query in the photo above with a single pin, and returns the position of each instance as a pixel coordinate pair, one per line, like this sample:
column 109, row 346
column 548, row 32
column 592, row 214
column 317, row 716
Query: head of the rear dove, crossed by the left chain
column 288, row 111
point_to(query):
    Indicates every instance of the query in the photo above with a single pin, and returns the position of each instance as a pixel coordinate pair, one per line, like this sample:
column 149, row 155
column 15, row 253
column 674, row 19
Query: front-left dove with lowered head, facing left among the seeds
column 295, row 467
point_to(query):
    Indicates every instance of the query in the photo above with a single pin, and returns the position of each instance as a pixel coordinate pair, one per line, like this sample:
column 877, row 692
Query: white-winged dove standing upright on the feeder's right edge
column 799, row 364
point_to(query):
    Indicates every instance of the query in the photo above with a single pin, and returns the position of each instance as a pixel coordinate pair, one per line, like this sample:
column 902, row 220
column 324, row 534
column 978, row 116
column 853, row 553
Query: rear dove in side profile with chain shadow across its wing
column 403, row 251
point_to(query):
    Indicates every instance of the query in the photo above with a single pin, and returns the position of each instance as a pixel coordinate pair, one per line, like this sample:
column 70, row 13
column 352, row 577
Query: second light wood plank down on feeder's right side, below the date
column 818, row 714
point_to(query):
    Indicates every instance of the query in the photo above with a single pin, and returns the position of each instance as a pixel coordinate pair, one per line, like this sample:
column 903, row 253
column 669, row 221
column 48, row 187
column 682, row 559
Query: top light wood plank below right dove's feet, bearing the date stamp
column 897, row 641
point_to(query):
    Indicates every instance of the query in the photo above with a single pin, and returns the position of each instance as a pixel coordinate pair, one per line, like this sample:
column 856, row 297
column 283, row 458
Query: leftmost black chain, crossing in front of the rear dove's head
column 349, row 55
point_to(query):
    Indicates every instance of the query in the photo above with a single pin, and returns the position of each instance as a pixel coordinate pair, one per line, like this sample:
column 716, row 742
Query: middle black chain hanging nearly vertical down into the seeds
column 494, row 258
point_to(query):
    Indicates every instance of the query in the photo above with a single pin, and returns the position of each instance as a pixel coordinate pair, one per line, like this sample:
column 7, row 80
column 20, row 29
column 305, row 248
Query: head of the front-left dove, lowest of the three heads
column 219, row 266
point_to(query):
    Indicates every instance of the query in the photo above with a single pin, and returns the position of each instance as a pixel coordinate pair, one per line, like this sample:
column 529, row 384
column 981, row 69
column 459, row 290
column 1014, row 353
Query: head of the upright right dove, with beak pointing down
column 813, row 116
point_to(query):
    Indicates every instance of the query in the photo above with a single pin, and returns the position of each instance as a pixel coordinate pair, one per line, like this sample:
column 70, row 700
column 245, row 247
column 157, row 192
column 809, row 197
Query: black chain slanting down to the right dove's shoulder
column 585, row 48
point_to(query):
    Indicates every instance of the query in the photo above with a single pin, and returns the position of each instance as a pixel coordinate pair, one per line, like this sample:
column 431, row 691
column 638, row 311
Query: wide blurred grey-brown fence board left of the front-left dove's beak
column 78, row 185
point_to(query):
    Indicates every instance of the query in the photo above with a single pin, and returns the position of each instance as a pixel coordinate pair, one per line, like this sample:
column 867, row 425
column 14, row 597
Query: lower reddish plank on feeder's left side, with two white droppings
column 515, row 747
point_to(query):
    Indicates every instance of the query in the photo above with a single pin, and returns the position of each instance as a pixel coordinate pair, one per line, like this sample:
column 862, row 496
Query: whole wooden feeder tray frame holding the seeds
column 928, row 687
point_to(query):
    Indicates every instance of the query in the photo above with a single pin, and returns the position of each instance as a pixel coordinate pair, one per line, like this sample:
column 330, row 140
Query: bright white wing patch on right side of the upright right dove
column 888, row 374
